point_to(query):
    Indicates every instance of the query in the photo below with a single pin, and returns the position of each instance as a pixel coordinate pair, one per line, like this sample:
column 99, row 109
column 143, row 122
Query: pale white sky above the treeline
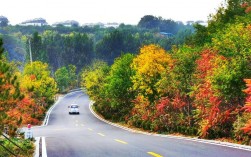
column 120, row 11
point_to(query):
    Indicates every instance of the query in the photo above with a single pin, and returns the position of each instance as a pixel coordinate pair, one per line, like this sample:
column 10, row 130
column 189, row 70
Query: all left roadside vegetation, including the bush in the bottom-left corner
column 24, row 98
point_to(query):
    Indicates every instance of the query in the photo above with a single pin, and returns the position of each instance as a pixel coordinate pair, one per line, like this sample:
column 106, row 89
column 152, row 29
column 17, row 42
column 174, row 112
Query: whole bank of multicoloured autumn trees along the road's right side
column 201, row 88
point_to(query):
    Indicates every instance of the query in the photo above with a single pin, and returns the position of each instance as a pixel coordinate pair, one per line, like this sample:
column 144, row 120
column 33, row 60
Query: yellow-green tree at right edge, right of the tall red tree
column 233, row 43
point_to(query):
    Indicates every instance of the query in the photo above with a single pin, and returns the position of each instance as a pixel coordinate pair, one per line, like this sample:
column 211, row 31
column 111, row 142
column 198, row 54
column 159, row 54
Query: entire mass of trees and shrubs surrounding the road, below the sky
column 196, row 82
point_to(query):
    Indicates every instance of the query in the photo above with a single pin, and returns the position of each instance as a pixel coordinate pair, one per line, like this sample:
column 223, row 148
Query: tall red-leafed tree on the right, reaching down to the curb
column 212, row 111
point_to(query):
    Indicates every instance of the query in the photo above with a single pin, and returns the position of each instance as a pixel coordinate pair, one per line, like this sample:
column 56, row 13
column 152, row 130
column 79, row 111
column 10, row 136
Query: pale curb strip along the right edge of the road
column 213, row 142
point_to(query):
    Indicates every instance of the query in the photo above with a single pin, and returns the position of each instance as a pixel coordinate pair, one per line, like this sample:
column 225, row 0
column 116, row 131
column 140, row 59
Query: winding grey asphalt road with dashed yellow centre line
column 86, row 136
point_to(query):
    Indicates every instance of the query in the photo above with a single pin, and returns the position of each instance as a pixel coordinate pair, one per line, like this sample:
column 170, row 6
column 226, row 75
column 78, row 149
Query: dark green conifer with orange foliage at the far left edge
column 10, row 94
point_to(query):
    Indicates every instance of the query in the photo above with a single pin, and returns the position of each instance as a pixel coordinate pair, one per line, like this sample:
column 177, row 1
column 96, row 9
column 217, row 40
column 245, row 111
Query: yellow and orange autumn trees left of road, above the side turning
column 23, row 97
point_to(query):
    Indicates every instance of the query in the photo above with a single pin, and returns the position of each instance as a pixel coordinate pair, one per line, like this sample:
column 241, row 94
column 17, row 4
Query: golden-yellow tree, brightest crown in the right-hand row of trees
column 149, row 65
